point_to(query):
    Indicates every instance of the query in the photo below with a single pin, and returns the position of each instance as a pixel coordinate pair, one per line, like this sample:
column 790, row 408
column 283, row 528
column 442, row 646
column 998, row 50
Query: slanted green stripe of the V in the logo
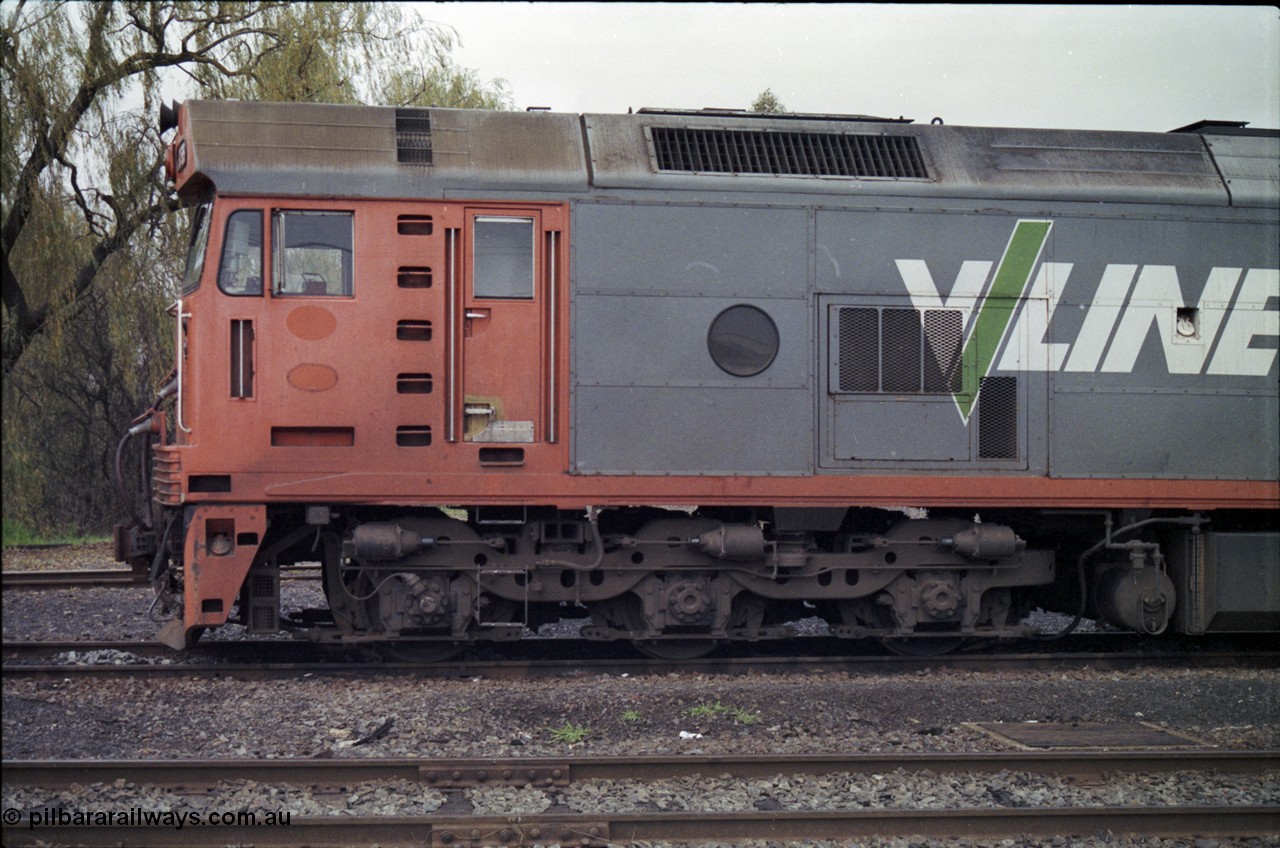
column 996, row 312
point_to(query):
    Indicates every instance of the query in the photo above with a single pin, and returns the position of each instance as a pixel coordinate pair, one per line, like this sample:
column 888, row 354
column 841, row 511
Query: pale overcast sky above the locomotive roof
column 1150, row 69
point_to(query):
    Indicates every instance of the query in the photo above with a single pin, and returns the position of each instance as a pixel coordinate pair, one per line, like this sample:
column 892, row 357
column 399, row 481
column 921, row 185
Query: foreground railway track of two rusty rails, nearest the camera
column 456, row 776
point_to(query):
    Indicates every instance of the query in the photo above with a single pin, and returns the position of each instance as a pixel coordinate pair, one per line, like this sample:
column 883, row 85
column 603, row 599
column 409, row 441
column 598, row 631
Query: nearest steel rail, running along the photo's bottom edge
column 588, row 831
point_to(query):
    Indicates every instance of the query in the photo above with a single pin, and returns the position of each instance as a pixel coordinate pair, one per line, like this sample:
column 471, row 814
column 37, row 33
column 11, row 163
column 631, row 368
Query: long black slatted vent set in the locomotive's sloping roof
column 788, row 153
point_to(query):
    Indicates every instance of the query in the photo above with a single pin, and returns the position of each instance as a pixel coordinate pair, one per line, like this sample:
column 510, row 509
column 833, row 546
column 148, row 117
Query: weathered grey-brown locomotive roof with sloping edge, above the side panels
column 380, row 152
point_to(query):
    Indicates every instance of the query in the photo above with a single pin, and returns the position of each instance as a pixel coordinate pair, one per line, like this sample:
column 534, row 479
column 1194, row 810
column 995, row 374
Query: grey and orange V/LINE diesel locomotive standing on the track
column 696, row 375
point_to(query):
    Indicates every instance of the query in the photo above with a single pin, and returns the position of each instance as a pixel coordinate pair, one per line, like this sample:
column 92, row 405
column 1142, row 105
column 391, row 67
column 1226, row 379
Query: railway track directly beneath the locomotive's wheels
column 547, row 659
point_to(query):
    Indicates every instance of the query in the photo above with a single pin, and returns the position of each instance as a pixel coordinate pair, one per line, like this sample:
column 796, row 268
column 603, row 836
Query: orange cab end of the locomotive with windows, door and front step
column 359, row 350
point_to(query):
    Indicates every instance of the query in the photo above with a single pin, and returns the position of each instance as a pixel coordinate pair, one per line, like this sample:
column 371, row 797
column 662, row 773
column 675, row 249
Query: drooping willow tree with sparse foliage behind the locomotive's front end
column 92, row 238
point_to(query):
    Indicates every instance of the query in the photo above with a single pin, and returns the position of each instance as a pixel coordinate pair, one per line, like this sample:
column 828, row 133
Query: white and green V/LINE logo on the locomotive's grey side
column 1126, row 304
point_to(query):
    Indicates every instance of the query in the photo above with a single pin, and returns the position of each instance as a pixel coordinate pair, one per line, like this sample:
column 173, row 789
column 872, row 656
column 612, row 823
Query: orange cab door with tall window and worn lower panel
column 506, row 317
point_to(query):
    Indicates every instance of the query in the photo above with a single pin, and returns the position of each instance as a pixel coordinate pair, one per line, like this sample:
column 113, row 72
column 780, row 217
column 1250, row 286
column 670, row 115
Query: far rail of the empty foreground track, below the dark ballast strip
column 449, row 773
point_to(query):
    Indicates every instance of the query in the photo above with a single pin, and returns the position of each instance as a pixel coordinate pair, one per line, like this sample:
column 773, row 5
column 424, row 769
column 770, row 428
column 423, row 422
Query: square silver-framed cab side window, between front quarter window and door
column 313, row 253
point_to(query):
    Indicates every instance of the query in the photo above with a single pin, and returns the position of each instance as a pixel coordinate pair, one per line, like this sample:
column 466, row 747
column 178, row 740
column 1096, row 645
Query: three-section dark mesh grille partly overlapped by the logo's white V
column 897, row 352
